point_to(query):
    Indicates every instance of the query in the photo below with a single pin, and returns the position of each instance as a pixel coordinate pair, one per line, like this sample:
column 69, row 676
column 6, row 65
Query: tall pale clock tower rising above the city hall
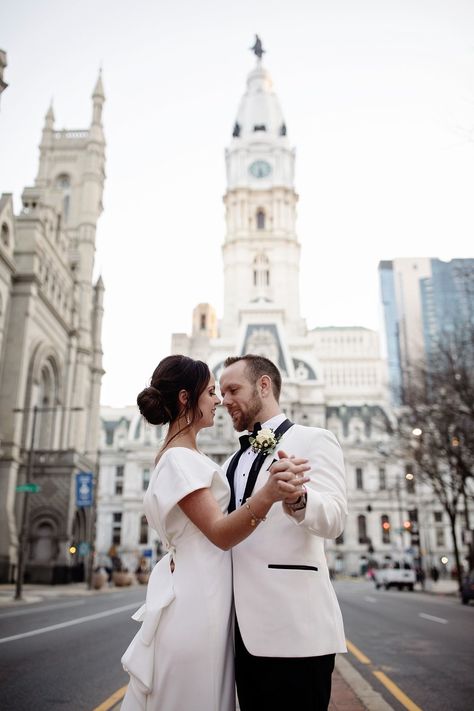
column 261, row 252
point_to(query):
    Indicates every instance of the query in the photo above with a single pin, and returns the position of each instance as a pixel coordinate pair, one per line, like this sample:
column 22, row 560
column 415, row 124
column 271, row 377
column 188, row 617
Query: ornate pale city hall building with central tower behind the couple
column 333, row 377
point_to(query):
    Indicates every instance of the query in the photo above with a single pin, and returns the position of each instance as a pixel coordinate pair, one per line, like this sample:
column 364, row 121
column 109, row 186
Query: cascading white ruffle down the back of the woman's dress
column 139, row 658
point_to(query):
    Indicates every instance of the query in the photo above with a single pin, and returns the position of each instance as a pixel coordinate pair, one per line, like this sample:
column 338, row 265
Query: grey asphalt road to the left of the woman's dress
column 74, row 666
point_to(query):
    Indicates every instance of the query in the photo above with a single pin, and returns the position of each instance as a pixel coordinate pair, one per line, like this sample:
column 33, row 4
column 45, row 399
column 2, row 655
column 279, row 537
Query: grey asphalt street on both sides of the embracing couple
column 64, row 652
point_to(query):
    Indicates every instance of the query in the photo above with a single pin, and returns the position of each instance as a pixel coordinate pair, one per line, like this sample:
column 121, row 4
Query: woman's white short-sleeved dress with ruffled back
column 182, row 657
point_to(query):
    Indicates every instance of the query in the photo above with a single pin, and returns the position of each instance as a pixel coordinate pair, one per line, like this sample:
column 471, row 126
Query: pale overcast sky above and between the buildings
column 378, row 97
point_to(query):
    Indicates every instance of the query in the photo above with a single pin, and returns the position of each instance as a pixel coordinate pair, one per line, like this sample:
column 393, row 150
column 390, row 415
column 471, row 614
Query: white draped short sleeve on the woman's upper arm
column 182, row 472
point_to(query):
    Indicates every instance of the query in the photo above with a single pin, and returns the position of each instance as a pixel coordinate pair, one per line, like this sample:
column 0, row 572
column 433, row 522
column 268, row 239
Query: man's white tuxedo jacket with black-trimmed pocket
column 284, row 600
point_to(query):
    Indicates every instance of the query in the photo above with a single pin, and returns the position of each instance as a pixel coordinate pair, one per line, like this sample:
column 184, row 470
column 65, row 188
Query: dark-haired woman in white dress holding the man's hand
column 182, row 656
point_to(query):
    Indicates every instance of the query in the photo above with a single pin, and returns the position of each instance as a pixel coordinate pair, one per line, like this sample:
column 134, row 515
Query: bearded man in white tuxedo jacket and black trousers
column 288, row 622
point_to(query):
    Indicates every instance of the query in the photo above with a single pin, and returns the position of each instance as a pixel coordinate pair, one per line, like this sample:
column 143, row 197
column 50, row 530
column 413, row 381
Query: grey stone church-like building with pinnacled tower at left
column 51, row 351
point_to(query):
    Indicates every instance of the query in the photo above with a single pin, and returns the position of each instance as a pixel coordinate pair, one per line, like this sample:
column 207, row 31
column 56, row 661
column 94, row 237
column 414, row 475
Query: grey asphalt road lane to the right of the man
column 423, row 643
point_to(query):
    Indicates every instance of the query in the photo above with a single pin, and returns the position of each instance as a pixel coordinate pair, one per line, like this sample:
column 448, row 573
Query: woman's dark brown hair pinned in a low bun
column 159, row 404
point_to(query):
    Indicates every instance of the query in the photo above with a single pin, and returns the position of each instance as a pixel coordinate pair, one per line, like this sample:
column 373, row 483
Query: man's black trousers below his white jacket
column 281, row 683
